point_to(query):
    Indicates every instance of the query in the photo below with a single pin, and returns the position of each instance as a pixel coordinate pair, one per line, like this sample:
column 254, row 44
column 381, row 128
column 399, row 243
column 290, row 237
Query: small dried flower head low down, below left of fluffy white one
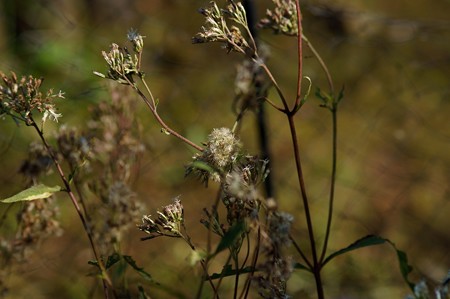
column 168, row 223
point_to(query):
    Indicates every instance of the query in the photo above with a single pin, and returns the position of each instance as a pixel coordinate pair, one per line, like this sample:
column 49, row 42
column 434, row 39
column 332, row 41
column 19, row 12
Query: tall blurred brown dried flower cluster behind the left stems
column 114, row 150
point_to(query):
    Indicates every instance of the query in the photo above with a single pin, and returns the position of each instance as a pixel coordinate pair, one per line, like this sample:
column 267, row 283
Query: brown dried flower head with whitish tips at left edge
column 19, row 98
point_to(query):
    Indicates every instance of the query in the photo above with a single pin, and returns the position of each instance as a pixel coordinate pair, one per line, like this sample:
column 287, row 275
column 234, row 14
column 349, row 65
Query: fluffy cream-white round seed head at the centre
column 221, row 151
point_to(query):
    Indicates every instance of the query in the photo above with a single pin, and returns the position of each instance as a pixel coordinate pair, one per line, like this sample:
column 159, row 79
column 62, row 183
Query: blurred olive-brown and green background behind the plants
column 393, row 57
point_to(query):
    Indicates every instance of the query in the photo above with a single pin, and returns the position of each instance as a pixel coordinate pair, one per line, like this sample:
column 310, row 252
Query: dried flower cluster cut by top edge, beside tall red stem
column 282, row 19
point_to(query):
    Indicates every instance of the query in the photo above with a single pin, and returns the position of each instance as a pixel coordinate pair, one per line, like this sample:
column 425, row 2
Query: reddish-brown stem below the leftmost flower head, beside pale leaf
column 105, row 278
